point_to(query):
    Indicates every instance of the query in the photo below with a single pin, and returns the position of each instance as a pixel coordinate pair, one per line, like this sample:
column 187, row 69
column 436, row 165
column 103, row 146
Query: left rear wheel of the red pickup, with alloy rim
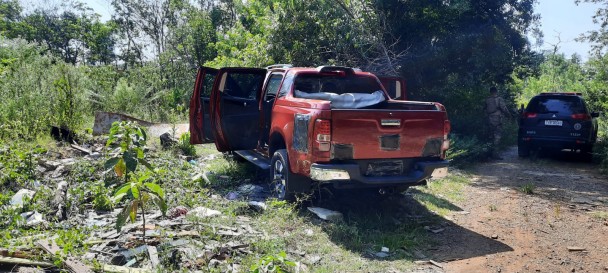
column 280, row 176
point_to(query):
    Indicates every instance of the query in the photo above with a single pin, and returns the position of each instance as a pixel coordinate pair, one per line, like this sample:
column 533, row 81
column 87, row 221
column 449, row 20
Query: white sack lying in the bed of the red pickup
column 346, row 100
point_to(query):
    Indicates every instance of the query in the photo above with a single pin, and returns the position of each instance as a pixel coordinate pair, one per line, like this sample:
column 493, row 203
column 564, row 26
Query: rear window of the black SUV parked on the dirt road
column 562, row 105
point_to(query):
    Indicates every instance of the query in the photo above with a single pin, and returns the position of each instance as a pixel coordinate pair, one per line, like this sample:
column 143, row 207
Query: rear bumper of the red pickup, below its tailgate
column 349, row 175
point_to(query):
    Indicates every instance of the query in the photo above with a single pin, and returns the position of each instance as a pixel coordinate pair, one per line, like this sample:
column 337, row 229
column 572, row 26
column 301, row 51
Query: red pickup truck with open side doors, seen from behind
column 329, row 125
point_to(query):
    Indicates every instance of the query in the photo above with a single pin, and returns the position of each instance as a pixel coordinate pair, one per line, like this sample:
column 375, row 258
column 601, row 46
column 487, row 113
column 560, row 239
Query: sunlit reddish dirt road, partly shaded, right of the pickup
column 561, row 227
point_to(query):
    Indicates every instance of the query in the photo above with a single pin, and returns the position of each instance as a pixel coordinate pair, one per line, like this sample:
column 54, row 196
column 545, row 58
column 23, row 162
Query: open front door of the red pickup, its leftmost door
column 200, row 113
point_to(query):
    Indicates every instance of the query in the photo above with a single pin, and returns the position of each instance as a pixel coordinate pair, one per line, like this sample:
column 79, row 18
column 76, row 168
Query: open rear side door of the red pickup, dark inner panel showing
column 235, row 108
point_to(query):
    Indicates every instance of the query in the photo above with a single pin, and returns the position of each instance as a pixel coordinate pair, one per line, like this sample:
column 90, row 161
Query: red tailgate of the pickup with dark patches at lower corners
column 381, row 134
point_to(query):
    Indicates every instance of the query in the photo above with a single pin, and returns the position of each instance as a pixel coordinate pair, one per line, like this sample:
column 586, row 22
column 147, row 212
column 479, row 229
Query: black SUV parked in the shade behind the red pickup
column 557, row 121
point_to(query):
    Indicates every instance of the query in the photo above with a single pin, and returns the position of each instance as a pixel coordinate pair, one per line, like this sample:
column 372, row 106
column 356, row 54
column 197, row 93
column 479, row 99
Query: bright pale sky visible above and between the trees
column 559, row 18
